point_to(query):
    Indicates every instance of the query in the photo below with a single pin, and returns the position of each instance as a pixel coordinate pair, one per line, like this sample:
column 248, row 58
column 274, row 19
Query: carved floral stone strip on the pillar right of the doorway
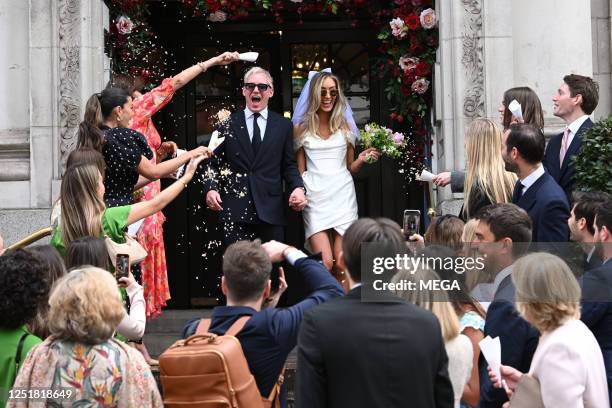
column 473, row 60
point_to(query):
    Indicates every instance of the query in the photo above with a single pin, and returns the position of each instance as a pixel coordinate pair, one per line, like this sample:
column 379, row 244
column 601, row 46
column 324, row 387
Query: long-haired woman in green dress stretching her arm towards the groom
column 83, row 212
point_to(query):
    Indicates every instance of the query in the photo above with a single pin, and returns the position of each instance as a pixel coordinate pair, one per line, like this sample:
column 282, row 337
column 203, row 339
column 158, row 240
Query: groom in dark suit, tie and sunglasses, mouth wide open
column 258, row 152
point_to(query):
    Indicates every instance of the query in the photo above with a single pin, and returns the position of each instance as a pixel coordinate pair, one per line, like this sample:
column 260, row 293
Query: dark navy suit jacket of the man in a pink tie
column 564, row 174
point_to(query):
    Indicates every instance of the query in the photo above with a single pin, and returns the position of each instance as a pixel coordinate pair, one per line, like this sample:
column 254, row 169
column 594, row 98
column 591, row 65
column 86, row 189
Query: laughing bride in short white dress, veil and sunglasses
column 324, row 140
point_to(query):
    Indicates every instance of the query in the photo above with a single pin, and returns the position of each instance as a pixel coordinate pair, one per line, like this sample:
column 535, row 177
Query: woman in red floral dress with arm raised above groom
column 150, row 235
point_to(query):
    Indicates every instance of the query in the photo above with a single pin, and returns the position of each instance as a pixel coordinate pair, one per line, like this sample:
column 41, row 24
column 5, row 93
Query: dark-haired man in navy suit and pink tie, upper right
column 576, row 98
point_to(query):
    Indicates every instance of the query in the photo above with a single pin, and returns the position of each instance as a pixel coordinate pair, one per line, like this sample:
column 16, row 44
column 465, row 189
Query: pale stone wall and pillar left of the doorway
column 52, row 54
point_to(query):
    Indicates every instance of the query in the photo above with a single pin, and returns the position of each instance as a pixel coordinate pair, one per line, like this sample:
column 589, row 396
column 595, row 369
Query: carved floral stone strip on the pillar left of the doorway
column 69, row 55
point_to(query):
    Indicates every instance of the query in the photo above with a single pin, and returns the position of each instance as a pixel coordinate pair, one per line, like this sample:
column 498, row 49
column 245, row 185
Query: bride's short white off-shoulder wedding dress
column 329, row 185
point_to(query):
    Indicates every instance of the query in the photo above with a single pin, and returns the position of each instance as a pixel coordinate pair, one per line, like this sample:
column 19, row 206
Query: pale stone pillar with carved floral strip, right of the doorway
column 475, row 45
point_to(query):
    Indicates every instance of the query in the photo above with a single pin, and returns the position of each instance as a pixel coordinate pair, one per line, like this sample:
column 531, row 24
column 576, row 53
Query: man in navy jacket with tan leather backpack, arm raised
column 270, row 334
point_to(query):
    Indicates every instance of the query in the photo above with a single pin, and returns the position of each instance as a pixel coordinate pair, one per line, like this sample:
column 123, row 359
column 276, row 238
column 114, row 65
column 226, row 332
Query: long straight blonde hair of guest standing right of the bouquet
column 485, row 166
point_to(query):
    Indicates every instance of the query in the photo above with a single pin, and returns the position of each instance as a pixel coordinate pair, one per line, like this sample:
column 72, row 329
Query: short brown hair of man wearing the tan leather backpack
column 246, row 268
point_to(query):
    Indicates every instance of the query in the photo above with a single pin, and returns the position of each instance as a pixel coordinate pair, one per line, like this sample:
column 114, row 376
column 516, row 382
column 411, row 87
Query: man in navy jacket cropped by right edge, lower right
column 596, row 310
